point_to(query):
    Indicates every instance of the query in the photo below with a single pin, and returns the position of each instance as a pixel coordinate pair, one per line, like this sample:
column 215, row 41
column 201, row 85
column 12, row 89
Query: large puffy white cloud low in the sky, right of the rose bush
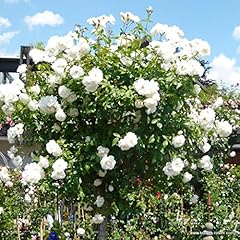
column 225, row 71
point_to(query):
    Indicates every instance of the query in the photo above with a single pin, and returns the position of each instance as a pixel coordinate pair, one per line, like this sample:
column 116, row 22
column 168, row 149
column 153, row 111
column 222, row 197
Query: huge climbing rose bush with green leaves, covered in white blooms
column 122, row 134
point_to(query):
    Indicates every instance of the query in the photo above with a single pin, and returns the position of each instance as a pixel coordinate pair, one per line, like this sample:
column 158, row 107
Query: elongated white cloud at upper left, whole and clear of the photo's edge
column 44, row 18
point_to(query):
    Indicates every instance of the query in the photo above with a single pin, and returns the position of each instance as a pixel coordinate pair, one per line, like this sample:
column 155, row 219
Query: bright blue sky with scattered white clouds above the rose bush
column 26, row 22
